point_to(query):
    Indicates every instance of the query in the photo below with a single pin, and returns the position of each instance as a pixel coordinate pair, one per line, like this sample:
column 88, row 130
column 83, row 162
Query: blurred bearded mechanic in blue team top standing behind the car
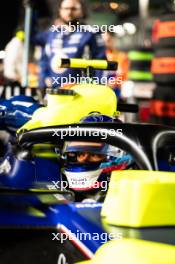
column 58, row 44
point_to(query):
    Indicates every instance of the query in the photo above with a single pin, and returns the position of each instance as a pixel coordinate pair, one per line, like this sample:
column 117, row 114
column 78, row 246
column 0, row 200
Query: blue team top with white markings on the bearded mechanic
column 57, row 44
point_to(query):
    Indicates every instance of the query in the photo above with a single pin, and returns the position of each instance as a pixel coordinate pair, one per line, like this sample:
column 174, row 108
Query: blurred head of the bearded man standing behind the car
column 71, row 10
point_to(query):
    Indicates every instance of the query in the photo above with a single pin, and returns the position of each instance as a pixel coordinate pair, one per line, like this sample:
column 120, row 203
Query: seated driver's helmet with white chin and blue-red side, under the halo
column 87, row 166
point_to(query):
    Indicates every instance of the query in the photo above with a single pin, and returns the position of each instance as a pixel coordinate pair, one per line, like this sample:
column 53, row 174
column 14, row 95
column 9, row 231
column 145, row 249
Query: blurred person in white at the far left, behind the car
column 14, row 58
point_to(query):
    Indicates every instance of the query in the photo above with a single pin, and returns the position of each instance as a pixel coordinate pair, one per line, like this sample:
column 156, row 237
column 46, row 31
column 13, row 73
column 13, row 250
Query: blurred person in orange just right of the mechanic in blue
column 113, row 54
